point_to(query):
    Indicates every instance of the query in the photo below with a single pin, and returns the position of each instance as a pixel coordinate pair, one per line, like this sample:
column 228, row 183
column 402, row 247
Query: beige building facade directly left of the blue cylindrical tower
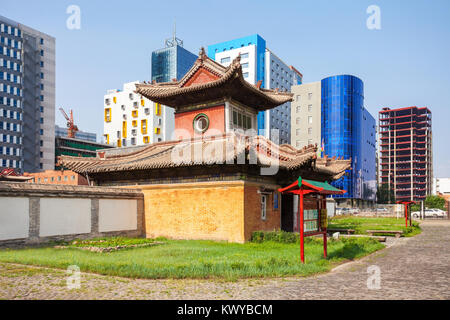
column 306, row 115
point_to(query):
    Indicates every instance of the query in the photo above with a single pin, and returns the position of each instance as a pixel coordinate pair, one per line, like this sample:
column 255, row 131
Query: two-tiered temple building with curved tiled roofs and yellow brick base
column 217, row 179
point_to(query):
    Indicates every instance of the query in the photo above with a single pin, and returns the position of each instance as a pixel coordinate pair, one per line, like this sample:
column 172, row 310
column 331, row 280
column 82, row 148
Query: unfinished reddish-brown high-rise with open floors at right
column 406, row 161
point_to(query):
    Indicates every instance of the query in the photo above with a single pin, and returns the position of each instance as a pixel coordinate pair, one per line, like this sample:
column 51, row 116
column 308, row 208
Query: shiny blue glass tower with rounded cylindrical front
column 348, row 131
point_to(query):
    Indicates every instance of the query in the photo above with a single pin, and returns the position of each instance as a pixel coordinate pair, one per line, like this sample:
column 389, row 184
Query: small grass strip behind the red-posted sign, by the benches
column 361, row 224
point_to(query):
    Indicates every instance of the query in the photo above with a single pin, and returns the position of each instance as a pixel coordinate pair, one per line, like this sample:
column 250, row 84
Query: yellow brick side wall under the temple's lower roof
column 210, row 210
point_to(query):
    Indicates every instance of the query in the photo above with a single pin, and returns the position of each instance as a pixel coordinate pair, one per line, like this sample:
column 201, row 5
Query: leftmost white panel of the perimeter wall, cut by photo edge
column 14, row 218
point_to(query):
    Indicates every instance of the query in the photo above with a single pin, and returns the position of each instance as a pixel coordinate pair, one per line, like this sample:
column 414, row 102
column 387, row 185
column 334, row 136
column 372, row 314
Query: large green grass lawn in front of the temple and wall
column 201, row 259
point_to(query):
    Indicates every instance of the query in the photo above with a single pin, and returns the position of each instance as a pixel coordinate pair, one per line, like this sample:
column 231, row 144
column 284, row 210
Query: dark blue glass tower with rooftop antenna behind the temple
column 171, row 62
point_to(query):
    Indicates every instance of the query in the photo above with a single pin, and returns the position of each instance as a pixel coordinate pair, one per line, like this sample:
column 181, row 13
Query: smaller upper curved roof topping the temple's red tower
column 224, row 82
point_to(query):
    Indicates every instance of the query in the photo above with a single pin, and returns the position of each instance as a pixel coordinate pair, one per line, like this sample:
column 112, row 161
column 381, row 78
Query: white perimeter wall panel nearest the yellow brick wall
column 117, row 215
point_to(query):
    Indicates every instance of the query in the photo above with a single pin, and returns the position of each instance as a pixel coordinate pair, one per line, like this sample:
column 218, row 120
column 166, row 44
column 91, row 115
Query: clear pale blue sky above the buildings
column 406, row 63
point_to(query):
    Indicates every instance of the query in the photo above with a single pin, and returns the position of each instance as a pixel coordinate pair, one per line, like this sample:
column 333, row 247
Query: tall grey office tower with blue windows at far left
column 27, row 98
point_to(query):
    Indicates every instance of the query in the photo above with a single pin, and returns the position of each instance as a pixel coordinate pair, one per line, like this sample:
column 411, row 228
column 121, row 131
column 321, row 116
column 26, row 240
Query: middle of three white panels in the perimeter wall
column 64, row 216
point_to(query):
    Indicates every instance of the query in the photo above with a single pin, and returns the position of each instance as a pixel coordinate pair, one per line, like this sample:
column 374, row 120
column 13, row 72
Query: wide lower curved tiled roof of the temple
column 228, row 148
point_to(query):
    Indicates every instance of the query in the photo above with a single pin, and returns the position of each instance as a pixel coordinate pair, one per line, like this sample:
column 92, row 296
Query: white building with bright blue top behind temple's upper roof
column 262, row 67
